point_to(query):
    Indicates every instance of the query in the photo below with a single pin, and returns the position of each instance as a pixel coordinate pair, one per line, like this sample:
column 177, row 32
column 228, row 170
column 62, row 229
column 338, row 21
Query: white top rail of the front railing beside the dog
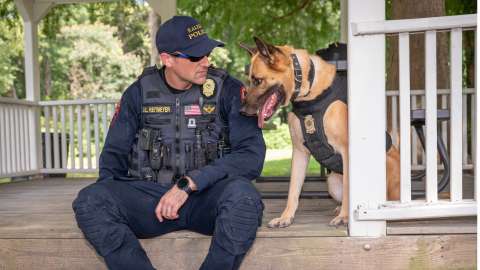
column 413, row 25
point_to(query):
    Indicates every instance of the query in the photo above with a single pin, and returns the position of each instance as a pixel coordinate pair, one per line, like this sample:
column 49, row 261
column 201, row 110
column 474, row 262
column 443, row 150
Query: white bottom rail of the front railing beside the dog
column 417, row 210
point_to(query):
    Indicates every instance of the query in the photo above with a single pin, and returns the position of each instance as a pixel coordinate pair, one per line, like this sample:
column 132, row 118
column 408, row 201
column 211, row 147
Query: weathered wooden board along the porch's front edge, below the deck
column 393, row 252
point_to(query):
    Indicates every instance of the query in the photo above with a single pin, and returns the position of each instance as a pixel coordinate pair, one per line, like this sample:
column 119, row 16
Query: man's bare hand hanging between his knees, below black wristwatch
column 171, row 202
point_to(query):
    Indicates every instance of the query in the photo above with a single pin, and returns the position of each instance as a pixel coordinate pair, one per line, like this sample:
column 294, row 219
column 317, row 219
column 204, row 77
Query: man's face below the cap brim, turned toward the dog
column 193, row 70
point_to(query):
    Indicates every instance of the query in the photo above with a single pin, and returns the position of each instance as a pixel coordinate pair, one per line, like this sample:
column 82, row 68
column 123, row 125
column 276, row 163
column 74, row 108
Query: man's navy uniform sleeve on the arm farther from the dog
column 121, row 134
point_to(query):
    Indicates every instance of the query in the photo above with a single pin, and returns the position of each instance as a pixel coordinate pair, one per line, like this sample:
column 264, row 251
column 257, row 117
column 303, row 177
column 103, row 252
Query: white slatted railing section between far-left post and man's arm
column 76, row 131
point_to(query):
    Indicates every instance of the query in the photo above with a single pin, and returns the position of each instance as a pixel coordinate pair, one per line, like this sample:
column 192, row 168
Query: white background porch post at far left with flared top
column 32, row 13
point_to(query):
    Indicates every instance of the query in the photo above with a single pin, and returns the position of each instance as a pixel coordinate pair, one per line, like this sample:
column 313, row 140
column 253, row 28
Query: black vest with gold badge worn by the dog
column 311, row 115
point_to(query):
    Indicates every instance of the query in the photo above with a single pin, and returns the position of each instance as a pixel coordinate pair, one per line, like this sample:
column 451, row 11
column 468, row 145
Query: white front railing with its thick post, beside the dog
column 368, row 207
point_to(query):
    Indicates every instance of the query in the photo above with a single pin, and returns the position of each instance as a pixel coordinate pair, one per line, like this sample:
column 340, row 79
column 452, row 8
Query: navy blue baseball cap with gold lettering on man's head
column 186, row 35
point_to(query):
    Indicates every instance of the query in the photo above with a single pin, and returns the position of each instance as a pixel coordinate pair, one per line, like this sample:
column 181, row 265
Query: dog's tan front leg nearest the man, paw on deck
column 300, row 158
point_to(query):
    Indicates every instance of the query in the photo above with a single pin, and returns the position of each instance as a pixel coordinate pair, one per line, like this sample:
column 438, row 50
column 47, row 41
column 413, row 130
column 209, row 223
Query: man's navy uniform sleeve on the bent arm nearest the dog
column 246, row 140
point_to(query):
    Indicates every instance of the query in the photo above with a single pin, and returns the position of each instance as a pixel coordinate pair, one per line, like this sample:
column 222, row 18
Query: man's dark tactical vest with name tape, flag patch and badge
column 179, row 132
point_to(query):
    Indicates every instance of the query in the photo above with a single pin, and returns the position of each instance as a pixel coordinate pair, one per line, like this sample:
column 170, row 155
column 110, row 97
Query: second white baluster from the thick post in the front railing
column 431, row 115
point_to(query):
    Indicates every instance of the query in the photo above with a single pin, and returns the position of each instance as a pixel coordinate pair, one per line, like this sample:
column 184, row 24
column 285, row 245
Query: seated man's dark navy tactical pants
column 113, row 214
